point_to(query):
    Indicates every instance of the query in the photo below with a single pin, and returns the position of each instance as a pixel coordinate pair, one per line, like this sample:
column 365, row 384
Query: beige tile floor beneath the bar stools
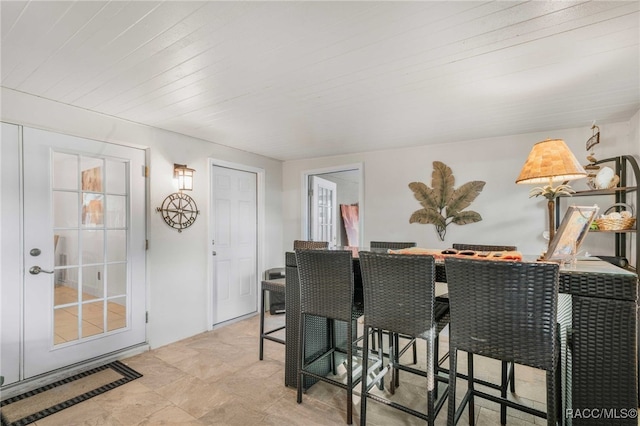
column 215, row 378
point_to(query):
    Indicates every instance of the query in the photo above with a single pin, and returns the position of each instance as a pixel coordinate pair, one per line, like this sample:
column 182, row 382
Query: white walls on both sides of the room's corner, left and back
column 177, row 263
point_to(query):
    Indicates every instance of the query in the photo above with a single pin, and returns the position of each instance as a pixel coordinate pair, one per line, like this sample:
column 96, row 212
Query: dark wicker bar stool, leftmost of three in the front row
column 326, row 290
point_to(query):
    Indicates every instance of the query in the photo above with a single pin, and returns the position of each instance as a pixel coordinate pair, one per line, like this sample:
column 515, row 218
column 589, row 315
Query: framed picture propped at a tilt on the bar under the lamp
column 571, row 232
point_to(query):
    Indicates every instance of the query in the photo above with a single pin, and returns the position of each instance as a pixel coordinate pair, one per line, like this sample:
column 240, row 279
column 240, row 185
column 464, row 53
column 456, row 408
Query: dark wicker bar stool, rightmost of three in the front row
column 506, row 311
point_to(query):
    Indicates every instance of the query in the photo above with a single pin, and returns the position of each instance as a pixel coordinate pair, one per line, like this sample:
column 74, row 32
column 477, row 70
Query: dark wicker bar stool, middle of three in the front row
column 399, row 296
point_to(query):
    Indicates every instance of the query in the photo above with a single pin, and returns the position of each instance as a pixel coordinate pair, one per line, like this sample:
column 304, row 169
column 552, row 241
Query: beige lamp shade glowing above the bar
column 550, row 161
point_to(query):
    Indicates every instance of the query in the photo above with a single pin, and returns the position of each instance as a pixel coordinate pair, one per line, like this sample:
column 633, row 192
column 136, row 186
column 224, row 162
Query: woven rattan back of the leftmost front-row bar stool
column 326, row 283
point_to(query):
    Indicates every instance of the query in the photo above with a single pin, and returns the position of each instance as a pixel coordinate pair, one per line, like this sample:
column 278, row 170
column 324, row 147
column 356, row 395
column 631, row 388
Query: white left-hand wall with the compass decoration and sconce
column 177, row 263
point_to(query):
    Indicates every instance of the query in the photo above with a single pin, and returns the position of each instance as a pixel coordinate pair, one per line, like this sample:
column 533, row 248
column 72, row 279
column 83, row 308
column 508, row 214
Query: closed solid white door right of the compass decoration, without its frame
column 234, row 209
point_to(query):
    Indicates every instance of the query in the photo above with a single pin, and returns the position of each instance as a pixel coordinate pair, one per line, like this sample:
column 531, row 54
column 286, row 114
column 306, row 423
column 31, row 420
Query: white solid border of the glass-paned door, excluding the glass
column 37, row 146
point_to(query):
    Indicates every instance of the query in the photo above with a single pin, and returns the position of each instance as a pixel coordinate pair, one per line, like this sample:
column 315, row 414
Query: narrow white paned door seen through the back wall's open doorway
column 324, row 210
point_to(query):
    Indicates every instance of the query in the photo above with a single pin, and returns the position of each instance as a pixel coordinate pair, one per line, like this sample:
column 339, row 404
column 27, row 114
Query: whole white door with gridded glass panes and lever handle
column 84, row 249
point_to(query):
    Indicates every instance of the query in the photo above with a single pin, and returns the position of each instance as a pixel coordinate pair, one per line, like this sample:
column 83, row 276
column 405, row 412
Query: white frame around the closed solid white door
column 260, row 205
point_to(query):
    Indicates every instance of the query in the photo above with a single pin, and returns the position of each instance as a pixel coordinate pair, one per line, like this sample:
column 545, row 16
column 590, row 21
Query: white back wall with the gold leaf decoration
column 509, row 216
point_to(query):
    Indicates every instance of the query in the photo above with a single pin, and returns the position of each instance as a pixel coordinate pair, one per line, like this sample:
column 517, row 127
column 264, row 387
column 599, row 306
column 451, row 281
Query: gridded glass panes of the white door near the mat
column 90, row 246
